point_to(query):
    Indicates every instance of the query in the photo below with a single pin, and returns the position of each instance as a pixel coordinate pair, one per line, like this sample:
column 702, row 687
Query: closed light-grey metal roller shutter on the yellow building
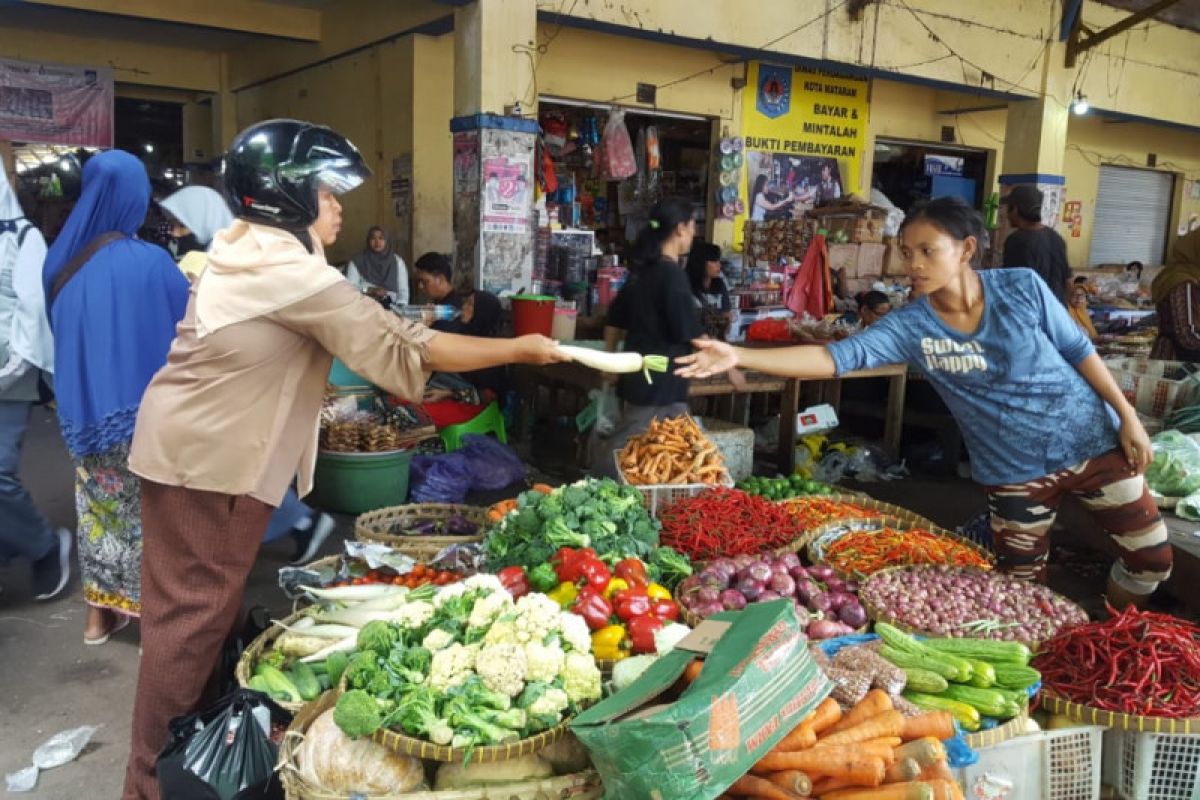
column 1133, row 212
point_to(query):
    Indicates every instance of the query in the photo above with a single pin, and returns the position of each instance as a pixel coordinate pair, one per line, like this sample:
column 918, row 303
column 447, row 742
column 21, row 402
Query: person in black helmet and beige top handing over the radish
column 233, row 418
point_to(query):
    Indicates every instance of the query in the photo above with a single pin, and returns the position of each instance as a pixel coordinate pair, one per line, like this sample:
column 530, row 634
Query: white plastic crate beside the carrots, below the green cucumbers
column 1046, row 766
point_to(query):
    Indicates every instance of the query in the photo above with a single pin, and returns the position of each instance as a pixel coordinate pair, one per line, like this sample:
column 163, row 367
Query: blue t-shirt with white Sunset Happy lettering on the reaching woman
column 1024, row 410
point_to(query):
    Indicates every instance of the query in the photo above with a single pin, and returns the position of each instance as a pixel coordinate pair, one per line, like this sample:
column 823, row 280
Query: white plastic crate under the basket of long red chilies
column 1153, row 766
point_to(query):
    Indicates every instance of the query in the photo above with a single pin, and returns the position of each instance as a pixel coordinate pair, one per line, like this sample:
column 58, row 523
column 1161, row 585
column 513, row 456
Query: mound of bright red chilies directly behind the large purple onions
column 727, row 522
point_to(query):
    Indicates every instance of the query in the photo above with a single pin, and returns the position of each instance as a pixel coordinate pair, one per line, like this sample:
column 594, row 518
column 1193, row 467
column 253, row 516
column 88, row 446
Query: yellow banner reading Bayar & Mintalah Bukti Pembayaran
column 805, row 141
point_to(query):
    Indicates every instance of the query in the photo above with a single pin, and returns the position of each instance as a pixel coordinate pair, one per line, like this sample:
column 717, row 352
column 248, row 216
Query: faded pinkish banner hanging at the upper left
column 50, row 104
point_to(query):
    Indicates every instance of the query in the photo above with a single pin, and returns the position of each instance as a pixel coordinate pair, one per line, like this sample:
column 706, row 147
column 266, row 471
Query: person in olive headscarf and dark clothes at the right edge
column 1177, row 293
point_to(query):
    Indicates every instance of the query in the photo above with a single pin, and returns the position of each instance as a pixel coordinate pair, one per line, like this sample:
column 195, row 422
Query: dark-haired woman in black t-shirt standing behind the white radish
column 655, row 315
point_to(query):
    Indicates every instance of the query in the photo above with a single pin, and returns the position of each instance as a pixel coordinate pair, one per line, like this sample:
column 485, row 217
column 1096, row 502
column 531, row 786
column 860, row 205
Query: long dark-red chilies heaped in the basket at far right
column 1137, row 663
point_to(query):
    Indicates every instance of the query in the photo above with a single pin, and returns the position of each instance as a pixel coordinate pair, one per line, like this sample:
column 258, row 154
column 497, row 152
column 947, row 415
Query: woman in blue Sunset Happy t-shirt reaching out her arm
column 1040, row 412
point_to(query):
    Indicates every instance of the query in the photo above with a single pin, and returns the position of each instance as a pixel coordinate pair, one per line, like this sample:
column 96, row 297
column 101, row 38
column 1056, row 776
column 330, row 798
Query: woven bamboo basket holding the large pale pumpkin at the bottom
column 580, row 786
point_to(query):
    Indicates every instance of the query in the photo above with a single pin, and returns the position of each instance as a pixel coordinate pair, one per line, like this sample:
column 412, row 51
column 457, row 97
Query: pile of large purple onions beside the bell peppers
column 826, row 605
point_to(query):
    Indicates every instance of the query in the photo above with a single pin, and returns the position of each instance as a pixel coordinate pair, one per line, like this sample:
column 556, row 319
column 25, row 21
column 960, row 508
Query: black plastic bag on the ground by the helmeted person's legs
column 224, row 754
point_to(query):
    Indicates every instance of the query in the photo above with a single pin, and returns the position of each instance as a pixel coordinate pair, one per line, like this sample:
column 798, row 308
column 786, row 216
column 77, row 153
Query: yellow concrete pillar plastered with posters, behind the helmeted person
column 494, row 155
